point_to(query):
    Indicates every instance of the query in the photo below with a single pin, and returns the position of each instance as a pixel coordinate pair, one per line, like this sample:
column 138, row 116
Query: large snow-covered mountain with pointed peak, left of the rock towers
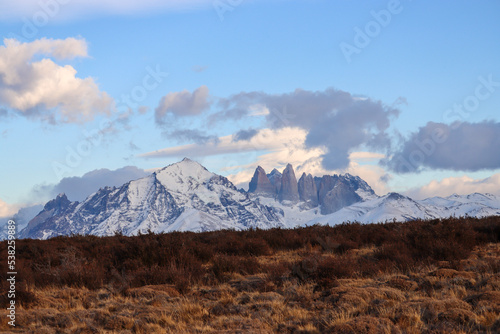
column 181, row 197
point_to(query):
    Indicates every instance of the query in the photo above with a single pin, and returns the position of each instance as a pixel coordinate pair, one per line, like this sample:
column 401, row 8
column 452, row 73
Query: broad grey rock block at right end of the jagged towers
column 335, row 193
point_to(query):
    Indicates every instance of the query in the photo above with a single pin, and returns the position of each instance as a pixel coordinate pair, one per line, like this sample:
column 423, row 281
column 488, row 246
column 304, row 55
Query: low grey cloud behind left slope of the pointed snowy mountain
column 78, row 188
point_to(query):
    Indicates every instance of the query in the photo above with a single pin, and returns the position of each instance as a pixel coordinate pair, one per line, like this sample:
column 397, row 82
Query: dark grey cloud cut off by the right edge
column 459, row 146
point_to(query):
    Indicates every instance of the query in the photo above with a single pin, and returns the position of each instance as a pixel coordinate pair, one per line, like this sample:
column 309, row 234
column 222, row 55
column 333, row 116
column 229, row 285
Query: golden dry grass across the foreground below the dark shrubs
column 433, row 299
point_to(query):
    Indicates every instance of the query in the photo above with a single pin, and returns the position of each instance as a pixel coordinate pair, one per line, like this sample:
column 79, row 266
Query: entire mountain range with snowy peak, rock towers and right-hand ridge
column 185, row 196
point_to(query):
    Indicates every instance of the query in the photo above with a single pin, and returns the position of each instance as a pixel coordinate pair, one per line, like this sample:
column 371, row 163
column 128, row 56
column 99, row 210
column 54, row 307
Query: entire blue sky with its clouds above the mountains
column 223, row 67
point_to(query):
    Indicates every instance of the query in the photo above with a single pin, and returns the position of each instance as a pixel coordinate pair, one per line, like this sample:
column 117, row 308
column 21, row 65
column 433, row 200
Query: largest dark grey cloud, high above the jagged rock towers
column 334, row 119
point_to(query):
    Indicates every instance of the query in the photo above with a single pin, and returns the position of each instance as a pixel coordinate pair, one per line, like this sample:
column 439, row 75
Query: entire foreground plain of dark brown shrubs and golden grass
column 422, row 276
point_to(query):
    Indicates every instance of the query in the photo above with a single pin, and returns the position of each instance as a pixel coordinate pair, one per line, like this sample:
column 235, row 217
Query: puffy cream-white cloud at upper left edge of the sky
column 44, row 89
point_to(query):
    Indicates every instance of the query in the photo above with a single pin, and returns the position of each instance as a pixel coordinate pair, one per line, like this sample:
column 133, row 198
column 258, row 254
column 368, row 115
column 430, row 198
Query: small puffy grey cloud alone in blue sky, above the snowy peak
column 183, row 104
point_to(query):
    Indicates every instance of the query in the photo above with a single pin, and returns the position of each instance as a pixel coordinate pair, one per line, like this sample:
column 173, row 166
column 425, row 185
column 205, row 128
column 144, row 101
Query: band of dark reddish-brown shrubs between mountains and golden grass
column 181, row 258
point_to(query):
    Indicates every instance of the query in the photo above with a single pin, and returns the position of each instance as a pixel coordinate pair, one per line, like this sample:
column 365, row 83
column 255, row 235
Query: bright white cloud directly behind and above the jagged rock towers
column 281, row 146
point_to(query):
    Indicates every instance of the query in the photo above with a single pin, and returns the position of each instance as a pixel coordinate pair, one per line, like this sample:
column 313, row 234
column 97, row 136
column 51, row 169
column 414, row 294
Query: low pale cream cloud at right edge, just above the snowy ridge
column 462, row 185
